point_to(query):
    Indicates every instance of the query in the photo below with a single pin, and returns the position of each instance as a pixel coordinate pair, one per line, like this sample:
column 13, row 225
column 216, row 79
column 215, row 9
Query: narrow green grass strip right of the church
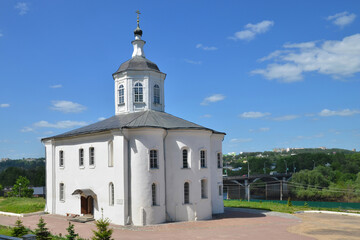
column 273, row 206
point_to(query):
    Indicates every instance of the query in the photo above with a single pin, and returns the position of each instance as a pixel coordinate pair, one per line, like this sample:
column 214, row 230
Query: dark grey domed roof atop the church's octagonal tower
column 138, row 64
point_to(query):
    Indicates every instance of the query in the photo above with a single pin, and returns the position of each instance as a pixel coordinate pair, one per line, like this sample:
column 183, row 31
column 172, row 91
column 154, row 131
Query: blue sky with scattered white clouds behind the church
column 268, row 73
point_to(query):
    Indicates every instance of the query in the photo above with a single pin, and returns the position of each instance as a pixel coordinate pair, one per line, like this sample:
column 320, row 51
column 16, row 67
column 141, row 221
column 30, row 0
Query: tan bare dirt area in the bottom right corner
column 325, row 226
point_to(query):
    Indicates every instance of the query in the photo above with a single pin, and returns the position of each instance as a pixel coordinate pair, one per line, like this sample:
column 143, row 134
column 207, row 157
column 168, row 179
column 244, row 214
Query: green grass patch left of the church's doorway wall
column 22, row 205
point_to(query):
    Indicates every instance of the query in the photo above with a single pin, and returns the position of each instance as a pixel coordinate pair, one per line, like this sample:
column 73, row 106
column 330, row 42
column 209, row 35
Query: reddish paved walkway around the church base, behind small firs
column 233, row 224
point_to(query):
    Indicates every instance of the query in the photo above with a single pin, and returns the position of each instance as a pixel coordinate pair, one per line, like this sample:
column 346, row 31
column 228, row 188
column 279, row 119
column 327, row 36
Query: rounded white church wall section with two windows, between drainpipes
column 142, row 177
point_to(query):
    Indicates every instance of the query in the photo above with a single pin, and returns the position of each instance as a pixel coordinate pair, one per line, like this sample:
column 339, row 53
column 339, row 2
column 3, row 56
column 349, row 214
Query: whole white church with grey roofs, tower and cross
column 142, row 166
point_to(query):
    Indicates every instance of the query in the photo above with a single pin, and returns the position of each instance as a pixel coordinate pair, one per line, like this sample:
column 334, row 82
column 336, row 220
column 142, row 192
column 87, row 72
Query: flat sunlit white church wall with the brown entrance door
column 96, row 177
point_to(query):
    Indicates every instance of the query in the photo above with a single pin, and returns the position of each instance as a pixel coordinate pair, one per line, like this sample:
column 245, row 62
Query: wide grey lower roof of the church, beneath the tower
column 143, row 119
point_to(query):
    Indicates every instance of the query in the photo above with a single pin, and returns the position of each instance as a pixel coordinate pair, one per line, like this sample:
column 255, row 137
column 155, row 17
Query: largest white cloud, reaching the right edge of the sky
column 334, row 58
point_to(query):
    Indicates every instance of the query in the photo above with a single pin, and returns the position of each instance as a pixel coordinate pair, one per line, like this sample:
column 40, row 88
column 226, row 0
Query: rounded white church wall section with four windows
column 194, row 141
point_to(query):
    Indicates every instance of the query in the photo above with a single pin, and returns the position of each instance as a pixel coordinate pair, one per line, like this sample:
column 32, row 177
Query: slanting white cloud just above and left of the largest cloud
column 251, row 30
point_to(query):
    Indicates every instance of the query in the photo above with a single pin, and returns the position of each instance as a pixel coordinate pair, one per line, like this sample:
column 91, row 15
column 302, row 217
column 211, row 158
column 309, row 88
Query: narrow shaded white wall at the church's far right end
column 216, row 174
